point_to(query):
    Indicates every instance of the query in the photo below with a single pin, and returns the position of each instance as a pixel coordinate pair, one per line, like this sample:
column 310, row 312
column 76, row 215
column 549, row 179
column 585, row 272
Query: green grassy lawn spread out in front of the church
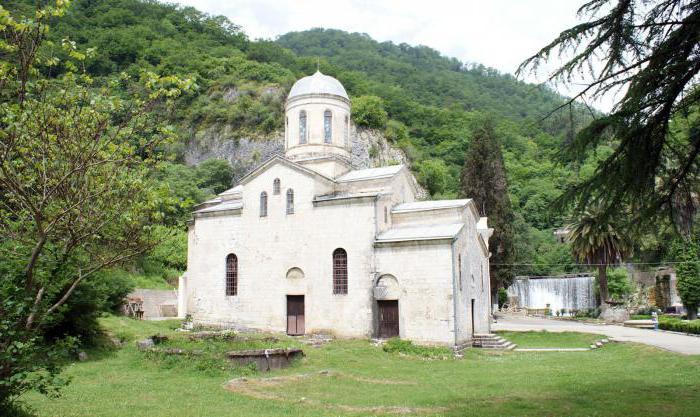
column 361, row 380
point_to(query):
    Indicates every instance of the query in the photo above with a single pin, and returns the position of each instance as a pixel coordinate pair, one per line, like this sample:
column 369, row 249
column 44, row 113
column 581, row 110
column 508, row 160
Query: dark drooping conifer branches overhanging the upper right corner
column 649, row 48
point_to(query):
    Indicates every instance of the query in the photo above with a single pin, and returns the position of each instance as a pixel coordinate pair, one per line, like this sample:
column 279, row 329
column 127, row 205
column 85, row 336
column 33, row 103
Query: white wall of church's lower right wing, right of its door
column 424, row 274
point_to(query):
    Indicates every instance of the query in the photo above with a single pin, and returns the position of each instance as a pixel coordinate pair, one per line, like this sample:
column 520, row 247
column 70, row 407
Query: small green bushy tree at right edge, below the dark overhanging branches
column 687, row 254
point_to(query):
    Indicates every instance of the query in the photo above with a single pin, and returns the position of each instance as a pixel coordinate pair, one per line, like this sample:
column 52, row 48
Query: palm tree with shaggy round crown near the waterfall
column 598, row 240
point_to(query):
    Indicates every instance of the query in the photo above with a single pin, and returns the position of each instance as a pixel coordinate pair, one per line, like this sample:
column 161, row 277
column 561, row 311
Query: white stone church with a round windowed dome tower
column 306, row 243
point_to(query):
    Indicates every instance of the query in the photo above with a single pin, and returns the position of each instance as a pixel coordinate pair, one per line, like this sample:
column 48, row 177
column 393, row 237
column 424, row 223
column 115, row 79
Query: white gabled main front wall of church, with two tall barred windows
column 268, row 247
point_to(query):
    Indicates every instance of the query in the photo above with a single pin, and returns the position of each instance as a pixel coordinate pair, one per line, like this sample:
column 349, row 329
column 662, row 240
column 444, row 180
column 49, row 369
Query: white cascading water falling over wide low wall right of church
column 558, row 292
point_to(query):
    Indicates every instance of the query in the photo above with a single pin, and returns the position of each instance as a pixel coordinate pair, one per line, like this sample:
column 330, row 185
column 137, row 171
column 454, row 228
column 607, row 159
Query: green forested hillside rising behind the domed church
column 432, row 103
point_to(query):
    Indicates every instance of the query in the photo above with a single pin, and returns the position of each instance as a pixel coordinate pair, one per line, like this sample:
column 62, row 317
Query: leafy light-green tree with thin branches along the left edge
column 74, row 191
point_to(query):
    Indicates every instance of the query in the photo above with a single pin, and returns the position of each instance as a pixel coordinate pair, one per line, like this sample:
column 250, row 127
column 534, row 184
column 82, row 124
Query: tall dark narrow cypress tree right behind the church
column 484, row 181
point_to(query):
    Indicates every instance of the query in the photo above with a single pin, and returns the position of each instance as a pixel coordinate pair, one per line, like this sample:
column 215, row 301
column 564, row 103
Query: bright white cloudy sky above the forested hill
column 496, row 33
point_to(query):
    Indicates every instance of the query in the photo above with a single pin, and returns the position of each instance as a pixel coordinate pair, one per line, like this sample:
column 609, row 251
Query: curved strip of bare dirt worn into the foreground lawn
column 259, row 388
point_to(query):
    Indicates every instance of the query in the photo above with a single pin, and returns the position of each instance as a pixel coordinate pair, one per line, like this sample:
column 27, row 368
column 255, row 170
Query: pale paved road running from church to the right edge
column 687, row 345
